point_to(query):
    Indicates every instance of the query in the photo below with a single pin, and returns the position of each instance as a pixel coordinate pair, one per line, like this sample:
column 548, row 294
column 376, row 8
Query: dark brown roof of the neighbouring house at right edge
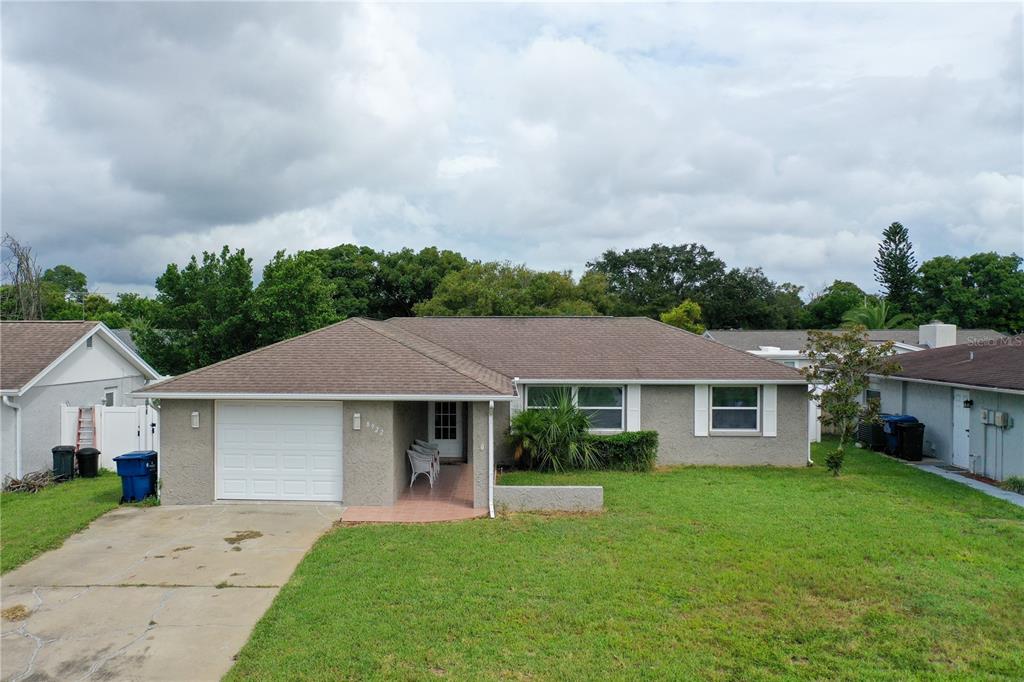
column 995, row 365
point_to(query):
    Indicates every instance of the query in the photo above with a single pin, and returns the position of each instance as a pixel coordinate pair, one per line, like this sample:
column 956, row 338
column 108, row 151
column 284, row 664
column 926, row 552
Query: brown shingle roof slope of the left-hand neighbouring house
column 29, row 348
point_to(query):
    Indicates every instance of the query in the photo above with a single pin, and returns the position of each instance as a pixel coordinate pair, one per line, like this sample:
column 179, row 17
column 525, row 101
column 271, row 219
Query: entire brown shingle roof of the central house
column 473, row 357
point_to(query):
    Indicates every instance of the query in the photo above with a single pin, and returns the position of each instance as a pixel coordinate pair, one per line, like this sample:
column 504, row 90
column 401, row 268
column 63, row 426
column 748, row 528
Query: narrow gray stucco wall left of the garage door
column 187, row 454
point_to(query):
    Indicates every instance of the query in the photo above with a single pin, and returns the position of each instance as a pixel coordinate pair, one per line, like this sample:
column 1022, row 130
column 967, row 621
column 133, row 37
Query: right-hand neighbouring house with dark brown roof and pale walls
column 971, row 400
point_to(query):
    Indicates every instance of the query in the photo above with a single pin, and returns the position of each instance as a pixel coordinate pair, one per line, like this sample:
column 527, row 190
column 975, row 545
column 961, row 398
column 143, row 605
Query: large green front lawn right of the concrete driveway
column 693, row 573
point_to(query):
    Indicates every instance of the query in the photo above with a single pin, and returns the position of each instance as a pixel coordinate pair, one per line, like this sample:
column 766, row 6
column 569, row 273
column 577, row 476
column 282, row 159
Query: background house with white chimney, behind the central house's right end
column 789, row 347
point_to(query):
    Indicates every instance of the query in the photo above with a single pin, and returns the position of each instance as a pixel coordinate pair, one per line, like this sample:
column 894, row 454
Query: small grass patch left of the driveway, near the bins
column 34, row 523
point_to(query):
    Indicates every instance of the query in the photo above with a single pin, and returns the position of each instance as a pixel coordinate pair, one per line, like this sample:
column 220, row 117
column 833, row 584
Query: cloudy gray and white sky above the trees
column 785, row 137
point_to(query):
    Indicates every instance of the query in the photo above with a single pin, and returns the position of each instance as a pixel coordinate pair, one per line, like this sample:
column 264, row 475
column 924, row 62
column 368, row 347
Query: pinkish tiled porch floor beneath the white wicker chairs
column 450, row 500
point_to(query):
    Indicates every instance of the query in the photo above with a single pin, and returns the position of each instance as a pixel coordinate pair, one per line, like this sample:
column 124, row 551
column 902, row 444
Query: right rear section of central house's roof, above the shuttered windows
column 594, row 349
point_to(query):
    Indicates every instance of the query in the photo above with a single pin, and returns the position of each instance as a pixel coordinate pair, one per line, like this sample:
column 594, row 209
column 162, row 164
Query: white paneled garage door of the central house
column 279, row 451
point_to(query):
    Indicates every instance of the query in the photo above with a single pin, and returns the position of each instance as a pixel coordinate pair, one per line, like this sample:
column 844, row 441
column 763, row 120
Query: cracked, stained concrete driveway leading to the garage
column 159, row 593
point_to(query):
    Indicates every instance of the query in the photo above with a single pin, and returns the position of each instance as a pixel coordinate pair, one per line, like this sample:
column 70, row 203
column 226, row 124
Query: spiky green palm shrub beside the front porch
column 557, row 438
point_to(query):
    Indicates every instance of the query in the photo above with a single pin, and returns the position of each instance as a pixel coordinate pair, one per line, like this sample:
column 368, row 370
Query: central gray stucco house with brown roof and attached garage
column 330, row 415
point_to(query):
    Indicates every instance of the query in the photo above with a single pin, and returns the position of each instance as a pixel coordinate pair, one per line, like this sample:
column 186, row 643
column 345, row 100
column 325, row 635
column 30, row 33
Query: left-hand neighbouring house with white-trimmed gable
column 48, row 365
